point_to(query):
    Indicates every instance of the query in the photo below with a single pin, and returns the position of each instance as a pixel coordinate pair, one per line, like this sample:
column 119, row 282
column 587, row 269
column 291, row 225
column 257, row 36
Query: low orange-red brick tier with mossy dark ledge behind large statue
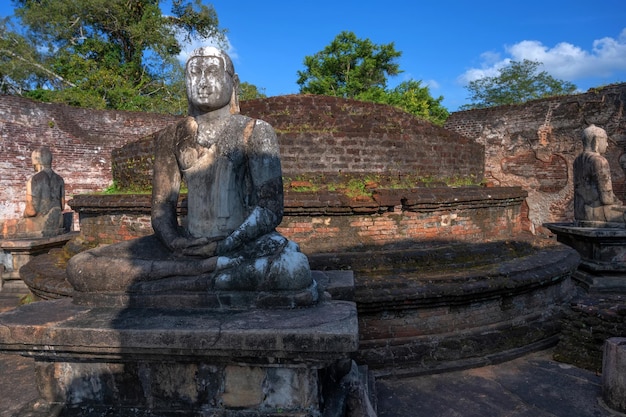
column 324, row 222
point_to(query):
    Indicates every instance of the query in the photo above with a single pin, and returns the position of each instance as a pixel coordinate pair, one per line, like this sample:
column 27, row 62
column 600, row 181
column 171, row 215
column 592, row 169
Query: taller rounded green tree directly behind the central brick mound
column 348, row 67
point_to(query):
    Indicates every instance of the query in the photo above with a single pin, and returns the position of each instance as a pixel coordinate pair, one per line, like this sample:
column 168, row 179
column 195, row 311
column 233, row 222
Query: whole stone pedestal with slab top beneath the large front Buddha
column 162, row 362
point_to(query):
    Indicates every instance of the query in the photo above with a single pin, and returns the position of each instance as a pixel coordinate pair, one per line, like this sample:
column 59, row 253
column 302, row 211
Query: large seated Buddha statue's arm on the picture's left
column 166, row 182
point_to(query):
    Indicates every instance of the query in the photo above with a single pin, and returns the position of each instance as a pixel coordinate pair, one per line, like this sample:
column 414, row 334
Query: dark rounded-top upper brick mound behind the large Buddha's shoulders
column 334, row 136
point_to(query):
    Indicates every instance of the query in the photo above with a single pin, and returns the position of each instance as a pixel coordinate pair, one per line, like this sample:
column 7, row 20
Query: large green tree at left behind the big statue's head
column 116, row 54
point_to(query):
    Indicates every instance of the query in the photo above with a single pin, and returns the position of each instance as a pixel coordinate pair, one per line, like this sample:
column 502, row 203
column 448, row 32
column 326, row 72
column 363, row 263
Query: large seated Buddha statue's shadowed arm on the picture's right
column 266, row 176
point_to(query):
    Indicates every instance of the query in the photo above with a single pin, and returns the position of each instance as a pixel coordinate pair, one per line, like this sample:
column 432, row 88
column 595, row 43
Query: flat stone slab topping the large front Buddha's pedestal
column 61, row 328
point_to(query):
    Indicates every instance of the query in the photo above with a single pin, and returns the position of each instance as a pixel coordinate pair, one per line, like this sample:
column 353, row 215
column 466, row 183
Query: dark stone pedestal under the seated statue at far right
column 602, row 249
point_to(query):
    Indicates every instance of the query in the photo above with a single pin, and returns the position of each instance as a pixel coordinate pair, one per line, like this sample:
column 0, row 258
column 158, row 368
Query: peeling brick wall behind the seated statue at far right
column 534, row 146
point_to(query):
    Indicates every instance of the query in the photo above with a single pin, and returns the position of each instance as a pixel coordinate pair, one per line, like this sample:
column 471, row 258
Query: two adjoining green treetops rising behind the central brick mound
column 357, row 68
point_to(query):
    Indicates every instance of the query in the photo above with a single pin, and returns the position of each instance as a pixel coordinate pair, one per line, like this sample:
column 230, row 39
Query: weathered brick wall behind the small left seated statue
column 81, row 141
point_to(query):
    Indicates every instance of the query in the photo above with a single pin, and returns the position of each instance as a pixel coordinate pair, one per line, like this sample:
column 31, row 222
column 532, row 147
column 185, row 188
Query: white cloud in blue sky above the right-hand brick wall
column 564, row 60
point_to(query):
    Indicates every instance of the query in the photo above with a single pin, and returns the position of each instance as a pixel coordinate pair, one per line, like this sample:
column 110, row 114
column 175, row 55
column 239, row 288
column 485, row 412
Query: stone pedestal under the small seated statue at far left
column 18, row 252
